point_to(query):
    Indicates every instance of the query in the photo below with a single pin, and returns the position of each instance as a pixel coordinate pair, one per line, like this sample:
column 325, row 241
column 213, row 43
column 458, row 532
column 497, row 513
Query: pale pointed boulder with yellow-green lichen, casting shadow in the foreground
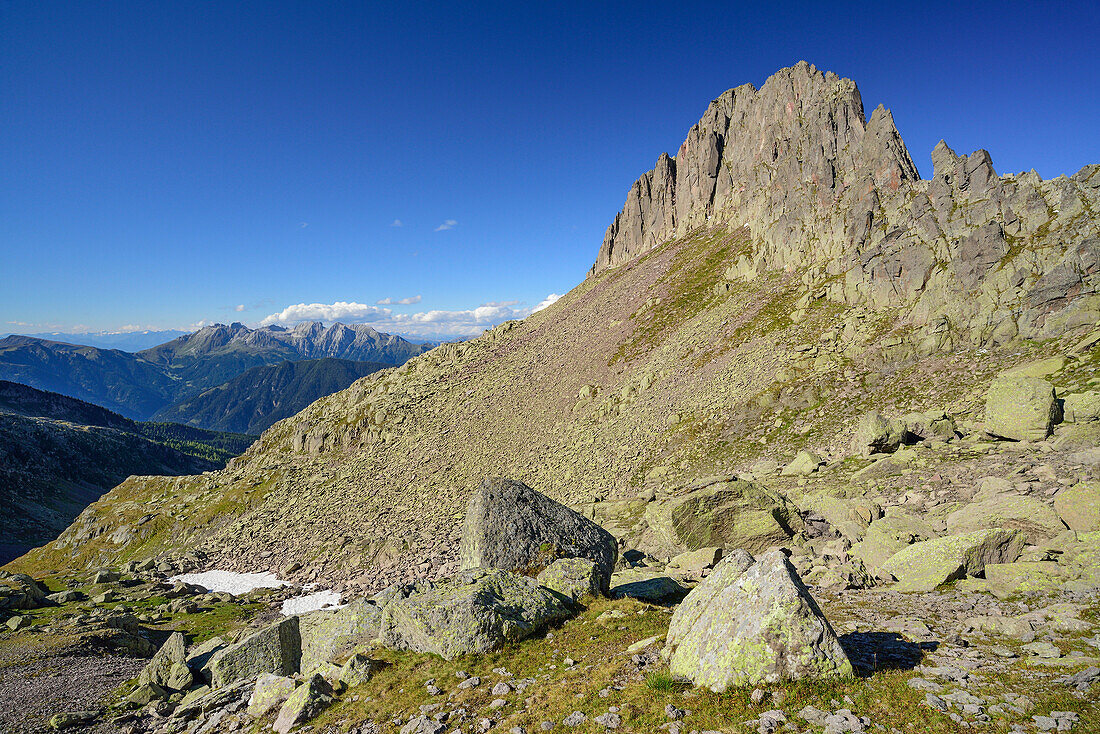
column 757, row 627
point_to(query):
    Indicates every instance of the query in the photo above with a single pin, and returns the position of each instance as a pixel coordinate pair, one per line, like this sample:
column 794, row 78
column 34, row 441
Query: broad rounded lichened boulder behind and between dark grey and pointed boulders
column 722, row 512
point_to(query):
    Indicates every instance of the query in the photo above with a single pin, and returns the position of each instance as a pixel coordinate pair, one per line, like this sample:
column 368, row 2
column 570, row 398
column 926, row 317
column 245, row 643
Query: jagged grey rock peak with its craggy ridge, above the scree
column 820, row 188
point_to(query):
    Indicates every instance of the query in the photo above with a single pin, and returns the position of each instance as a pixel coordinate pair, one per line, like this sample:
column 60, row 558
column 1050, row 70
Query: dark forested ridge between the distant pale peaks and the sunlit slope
column 255, row 400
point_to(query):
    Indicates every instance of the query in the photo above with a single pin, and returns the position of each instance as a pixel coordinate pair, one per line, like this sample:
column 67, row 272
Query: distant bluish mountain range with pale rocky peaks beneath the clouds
column 139, row 386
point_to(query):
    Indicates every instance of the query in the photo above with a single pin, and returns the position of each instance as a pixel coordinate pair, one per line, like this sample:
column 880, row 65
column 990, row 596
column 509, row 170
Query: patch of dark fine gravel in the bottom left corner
column 35, row 691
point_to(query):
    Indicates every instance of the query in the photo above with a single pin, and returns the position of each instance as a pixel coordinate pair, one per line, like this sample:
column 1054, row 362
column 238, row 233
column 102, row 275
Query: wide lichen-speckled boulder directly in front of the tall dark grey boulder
column 476, row 612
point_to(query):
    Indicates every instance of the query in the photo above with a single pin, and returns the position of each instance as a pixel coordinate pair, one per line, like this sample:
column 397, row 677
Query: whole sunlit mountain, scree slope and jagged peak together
column 722, row 347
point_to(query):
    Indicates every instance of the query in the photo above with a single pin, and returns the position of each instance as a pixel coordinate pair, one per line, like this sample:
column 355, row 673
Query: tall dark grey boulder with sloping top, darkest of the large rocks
column 511, row 527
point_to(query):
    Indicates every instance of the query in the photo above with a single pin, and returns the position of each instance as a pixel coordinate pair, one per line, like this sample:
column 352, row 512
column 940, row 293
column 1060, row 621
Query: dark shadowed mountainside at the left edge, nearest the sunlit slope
column 59, row 454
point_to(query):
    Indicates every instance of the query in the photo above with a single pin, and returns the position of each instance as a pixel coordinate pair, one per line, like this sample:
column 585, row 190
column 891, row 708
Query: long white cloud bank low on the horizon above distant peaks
column 433, row 324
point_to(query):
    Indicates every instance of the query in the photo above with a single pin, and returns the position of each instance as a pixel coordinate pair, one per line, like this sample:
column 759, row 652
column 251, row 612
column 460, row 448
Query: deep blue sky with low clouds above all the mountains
column 170, row 165
